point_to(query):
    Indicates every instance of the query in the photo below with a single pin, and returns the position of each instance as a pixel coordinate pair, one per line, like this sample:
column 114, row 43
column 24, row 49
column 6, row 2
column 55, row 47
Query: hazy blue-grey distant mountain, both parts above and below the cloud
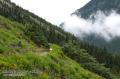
column 88, row 11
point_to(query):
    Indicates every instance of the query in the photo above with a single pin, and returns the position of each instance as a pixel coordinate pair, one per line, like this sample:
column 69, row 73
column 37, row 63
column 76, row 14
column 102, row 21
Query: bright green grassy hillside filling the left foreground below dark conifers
column 19, row 54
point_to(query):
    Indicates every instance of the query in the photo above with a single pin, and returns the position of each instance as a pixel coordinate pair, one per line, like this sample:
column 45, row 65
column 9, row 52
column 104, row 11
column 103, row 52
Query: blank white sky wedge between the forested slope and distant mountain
column 54, row 11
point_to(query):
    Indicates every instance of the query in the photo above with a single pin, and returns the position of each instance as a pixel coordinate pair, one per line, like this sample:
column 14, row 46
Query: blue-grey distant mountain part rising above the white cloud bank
column 93, row 6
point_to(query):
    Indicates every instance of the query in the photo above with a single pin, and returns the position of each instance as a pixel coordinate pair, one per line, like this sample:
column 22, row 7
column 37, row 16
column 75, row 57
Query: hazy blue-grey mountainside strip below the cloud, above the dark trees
column 94, row 39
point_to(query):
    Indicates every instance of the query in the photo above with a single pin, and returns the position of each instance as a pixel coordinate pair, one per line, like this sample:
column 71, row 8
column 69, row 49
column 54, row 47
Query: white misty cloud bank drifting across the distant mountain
column 105, row 26
